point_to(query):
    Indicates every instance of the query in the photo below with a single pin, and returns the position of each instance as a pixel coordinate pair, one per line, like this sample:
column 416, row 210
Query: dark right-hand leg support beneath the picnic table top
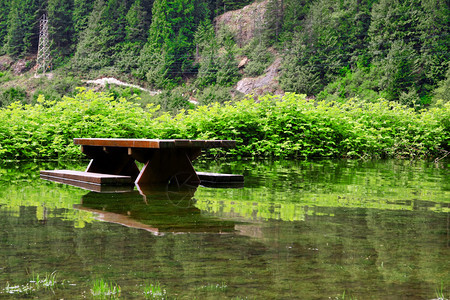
column 169, row 165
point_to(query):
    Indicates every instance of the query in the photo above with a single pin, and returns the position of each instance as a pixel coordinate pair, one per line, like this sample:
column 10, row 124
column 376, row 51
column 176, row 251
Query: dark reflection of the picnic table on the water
column 157, row 209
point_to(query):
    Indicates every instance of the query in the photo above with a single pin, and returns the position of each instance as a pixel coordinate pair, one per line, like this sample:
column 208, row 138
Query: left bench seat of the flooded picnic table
column 94, row 178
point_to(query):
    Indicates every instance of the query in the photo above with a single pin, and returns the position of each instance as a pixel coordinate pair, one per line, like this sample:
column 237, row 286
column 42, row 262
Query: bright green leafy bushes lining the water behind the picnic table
column 290, row 126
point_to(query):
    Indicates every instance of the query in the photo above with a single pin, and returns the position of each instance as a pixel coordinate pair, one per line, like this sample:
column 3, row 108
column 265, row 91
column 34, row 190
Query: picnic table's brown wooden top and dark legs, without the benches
column 164, row 160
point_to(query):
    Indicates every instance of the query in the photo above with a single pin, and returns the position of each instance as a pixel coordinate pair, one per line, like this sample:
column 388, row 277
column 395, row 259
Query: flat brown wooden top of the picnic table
column 154, row 143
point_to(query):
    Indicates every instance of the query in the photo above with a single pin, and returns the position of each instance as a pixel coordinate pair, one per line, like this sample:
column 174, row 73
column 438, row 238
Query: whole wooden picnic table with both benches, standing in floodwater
column 113, row 161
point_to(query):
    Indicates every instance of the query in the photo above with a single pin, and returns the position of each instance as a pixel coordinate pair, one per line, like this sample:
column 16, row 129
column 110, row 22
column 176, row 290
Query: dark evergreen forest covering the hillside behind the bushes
column 330, row 50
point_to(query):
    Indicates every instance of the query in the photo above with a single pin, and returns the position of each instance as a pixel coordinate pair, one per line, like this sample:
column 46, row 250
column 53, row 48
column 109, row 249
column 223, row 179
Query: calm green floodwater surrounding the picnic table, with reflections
column 296, row 230
